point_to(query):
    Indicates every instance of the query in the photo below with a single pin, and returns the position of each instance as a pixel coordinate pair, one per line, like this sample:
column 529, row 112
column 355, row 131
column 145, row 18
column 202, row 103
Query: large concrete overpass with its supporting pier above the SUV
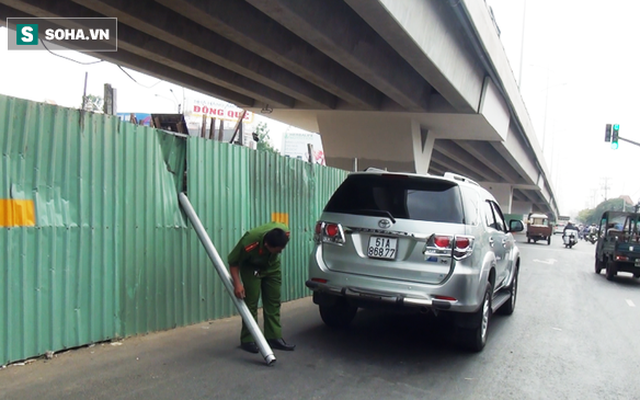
column 412, row 85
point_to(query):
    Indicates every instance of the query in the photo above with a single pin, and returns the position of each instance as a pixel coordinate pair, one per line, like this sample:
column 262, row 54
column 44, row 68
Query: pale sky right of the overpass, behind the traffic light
column 579, row 72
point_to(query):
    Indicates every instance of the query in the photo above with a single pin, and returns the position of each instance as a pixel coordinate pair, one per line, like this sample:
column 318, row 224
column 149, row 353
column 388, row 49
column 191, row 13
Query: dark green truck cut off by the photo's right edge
column 618, row 244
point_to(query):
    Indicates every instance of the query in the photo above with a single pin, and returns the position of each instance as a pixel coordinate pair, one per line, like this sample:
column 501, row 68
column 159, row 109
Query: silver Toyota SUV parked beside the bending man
column 430, row 243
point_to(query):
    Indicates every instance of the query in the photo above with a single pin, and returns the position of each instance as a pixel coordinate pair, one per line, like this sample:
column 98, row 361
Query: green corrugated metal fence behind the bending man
column 111, row 253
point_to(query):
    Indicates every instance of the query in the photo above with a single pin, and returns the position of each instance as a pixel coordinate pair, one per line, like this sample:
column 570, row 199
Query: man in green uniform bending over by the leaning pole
column 254, row 264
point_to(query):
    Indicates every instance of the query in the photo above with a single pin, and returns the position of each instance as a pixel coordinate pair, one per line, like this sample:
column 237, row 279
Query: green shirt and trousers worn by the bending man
column 260, row 271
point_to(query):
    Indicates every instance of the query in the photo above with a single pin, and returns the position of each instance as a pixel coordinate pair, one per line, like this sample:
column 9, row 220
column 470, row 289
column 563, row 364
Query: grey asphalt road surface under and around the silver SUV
column 573, row 335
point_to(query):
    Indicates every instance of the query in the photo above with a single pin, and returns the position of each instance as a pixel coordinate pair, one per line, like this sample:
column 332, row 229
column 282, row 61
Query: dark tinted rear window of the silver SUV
column 401, row 196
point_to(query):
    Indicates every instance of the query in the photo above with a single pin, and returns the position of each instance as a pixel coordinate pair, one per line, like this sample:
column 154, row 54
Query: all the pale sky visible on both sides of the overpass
column 578, row 73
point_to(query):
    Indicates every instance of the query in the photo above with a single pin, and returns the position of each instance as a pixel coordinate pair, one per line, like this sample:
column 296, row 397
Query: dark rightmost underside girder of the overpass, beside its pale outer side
column 339, row 32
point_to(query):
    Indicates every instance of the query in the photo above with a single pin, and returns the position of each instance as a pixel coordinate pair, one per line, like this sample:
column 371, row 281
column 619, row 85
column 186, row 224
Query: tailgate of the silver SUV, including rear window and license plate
column 386, row 220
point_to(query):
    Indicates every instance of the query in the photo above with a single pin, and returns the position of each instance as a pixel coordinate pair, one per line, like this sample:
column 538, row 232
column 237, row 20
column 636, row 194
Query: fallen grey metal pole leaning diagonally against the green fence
column 264, row 347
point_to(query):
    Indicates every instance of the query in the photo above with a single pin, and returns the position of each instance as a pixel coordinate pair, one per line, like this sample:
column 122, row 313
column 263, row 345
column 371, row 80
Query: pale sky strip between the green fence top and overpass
column 42, row 76
